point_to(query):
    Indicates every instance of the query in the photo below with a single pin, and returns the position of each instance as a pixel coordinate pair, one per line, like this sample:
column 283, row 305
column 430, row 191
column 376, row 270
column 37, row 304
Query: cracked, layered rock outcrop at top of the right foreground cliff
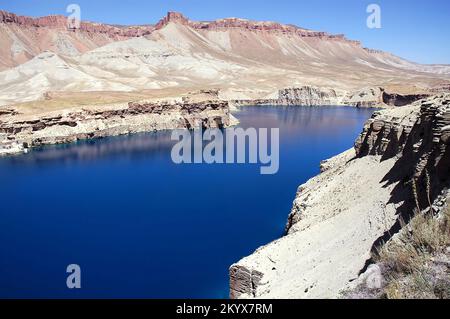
column 422, row 128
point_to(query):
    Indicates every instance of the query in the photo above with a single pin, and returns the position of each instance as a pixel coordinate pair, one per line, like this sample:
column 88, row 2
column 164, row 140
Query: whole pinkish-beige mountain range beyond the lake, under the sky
column 244, row 59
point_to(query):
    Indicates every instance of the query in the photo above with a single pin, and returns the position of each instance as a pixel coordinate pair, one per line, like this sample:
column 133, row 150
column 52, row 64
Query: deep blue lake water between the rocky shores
column 142, row 227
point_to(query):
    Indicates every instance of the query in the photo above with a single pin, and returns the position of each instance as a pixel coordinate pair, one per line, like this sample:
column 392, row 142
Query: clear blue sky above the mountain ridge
column 418, row 30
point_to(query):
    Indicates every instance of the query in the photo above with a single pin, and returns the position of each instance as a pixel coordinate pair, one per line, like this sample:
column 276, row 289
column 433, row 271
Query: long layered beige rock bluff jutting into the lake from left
column 69, row 126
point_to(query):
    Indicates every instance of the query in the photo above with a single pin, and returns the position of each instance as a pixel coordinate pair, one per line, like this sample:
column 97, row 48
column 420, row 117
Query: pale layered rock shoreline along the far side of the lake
column 205, row 108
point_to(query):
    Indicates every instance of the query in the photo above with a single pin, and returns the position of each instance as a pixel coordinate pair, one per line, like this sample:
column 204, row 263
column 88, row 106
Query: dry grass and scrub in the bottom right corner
column 417, row 263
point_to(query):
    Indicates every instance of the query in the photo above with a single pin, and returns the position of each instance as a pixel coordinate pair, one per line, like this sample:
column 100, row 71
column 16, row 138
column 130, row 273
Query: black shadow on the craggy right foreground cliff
column 420, row 161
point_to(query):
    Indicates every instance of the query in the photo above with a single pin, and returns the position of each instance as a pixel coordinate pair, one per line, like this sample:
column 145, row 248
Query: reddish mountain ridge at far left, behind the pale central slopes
column 22, row 38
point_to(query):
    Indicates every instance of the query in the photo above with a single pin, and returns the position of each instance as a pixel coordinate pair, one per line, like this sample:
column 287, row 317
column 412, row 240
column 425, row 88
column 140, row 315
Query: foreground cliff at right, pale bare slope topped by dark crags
column 339, row 217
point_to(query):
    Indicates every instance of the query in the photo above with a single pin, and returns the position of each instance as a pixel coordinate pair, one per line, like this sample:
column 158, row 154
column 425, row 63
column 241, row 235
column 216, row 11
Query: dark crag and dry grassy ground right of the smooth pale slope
column 418, row 246
